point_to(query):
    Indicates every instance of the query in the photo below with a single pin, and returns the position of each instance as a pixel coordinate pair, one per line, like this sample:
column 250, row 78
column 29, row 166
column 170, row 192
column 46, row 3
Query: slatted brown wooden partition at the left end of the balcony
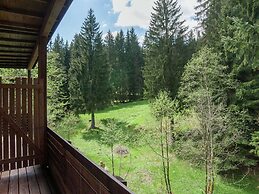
column 21, row 131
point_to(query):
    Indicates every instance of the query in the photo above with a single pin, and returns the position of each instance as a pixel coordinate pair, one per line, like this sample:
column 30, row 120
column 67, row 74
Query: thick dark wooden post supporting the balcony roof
column 42, row 71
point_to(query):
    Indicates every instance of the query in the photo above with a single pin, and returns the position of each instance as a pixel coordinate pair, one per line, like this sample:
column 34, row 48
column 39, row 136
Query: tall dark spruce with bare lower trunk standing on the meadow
column 94, row 76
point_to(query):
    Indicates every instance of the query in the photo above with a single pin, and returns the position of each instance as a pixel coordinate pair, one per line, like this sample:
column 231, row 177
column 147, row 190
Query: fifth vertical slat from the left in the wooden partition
column 30, row 132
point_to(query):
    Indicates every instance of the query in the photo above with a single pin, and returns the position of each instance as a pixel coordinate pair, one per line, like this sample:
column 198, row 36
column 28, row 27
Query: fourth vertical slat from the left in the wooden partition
column 24, row 120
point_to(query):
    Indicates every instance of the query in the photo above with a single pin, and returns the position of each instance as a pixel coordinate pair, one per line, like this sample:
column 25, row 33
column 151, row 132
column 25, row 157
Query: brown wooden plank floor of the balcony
column 26, row 180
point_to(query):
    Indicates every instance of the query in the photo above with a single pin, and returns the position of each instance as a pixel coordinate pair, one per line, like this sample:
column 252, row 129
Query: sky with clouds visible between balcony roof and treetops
column 115, row 15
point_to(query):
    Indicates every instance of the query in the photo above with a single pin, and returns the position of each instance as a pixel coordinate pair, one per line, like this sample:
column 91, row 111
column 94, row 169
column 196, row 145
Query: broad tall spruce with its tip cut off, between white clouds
column 163, row 60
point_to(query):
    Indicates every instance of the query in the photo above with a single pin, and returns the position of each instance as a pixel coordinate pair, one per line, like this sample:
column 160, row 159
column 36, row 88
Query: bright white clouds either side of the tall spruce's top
column 139, row 12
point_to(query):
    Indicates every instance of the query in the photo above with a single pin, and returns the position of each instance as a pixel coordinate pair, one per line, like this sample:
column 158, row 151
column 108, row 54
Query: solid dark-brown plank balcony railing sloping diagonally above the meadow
column 73, row 173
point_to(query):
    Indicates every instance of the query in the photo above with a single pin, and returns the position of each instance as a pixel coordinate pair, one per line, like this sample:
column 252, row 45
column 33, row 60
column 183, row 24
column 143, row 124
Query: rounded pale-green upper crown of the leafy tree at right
column 205, row 73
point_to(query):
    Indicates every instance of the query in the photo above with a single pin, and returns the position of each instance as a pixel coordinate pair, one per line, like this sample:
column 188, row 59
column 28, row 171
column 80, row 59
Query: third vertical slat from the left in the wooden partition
column 18, row 119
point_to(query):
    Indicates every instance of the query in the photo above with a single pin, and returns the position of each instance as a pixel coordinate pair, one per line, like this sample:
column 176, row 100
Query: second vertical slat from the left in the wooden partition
column 12, row 132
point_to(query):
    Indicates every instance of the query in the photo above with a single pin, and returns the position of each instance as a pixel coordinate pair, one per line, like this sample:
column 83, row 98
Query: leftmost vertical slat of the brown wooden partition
column 6, row 128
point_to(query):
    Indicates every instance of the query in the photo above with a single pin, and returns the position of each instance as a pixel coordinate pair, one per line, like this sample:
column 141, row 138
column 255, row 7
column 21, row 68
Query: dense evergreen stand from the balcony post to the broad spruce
column 94, row 72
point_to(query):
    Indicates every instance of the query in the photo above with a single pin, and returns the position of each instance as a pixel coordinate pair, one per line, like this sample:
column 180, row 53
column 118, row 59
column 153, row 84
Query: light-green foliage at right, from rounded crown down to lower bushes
column 205, row 84
